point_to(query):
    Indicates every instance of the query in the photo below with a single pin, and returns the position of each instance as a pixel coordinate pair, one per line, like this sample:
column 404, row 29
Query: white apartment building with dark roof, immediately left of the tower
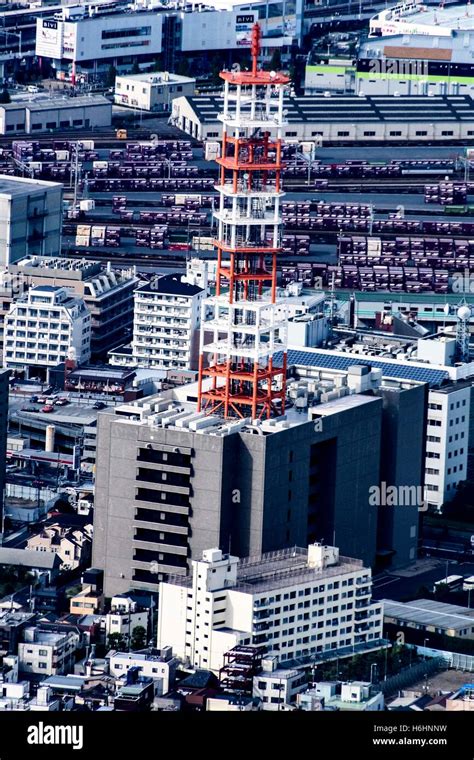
column 166, row 323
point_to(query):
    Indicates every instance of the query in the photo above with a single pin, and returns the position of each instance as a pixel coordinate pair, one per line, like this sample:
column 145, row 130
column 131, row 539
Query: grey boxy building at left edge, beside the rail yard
column 30, row 218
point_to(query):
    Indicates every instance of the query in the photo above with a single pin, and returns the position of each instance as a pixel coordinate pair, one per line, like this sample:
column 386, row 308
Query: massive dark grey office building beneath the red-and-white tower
column 171, row 481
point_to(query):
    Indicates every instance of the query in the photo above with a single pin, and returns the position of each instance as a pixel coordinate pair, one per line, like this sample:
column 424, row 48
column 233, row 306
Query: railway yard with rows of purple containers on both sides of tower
column 363, row 218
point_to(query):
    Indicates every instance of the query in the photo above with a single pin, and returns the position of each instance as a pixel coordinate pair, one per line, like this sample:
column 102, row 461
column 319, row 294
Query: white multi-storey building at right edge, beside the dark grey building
column 447, row 439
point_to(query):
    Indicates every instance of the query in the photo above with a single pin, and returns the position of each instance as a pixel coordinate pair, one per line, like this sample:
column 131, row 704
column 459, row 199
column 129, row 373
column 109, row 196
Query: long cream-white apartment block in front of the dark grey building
column 296, row 602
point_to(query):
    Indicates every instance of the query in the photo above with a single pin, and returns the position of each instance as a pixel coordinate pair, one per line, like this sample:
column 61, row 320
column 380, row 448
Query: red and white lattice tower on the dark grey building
column 243, row 326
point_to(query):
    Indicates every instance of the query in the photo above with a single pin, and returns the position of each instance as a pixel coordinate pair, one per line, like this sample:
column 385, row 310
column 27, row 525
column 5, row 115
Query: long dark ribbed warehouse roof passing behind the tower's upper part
column 351, row 108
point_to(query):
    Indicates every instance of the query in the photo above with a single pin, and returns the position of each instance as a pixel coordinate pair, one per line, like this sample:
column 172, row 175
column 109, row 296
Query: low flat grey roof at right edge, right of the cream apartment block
column 430, row 612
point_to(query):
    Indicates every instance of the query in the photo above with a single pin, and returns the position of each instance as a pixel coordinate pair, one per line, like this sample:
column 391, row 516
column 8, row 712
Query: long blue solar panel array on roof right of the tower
column 322, row 360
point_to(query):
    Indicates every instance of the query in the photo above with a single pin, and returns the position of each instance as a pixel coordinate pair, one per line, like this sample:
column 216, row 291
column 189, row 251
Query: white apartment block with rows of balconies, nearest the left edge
column 43, row 328
